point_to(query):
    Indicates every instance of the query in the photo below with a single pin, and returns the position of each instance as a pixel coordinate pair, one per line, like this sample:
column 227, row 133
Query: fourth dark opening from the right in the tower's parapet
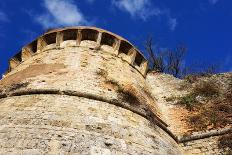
column 89, row 34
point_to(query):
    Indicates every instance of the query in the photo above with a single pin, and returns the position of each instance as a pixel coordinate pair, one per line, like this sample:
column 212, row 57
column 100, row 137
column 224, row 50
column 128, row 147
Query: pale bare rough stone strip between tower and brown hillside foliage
column 162, row 87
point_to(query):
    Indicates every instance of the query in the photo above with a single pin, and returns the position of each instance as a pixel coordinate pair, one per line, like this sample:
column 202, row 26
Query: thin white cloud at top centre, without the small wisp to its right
column 137, row 8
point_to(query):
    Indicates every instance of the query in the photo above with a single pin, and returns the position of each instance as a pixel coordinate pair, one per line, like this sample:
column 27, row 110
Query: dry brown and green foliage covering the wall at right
column 209, row 103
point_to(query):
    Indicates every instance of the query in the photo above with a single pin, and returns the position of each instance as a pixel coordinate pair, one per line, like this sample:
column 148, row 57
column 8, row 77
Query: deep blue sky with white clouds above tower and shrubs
column 204, row 26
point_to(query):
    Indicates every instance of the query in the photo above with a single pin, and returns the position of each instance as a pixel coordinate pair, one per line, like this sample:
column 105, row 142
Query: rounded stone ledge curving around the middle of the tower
column 143, row 110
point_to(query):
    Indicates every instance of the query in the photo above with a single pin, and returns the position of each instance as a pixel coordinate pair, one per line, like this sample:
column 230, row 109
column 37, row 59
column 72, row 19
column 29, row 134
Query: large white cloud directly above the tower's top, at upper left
column 61, row 13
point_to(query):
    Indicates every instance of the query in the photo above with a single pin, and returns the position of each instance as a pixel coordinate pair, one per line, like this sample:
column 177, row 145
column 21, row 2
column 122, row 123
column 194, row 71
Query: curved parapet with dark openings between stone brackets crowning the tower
column 90, row 37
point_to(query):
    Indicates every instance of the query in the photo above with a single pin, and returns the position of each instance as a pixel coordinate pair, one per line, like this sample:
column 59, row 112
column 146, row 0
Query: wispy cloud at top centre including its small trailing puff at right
column 143, row 9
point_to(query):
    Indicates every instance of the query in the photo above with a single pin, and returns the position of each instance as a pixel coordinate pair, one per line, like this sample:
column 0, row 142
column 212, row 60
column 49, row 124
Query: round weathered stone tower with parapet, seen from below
column 80, row 90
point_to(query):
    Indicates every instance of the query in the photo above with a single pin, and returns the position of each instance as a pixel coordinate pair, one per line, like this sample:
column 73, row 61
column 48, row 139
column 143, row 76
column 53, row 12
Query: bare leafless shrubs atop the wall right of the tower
column 171, row 61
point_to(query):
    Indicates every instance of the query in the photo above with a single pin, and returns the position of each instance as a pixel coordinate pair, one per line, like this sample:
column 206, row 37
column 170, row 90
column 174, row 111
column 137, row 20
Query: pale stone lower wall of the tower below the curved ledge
column 66, row 124
